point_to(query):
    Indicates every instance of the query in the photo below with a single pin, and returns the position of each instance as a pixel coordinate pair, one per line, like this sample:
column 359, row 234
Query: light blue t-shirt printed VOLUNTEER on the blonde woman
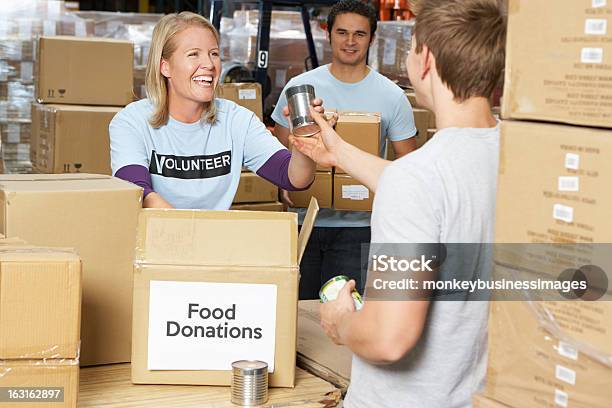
column 192, row 165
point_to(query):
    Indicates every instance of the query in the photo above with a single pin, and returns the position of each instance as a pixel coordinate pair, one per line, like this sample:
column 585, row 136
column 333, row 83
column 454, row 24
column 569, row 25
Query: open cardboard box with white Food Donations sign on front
column 209, row 260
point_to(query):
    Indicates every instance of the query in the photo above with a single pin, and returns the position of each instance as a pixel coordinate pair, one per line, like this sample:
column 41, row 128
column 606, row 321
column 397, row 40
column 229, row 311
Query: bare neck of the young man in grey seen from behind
column 471, row 113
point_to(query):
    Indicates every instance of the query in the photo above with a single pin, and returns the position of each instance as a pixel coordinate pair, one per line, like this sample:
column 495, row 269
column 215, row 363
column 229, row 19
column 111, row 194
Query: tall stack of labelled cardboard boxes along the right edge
column 554, row 189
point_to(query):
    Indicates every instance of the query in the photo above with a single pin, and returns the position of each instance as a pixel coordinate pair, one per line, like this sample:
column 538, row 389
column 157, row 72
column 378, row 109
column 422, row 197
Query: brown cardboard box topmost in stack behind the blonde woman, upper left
column 84, row 71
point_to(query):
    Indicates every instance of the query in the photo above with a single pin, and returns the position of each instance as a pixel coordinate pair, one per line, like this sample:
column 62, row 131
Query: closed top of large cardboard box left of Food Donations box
column 24, row 183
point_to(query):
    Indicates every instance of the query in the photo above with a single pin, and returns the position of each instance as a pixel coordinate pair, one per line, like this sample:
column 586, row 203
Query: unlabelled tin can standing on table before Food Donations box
column 249, row 385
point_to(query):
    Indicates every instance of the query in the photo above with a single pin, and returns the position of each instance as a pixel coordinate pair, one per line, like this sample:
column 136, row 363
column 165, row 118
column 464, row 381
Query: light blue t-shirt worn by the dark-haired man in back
column 374, row 93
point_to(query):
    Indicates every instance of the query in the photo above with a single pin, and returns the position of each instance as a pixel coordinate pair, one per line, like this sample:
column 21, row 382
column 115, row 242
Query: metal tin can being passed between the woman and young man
column 299, row 101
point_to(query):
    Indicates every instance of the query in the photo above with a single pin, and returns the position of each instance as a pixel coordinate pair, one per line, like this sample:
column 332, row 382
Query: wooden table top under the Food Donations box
column 110, row 386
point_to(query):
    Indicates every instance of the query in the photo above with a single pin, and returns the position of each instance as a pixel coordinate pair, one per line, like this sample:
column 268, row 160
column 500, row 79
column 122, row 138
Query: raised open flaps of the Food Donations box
column 237, row 238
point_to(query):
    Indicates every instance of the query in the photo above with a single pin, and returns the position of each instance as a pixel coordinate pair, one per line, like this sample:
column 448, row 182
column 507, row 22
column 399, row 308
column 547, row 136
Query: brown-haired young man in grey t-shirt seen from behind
column 422, row 353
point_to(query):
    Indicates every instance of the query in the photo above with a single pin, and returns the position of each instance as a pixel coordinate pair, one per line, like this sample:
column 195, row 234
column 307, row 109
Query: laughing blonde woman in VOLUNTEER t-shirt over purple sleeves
column 185, row 147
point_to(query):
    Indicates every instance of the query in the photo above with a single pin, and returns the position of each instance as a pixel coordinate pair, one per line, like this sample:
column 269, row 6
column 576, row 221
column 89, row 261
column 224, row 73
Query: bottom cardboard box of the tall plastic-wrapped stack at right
column 529, row 367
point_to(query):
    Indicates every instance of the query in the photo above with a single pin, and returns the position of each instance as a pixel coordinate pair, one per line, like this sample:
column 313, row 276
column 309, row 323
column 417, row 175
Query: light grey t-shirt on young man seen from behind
column 442, row 193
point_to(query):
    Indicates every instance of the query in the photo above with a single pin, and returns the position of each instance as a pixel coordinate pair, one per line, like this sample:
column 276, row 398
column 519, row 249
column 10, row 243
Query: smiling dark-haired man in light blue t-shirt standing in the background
column 348, row 84
